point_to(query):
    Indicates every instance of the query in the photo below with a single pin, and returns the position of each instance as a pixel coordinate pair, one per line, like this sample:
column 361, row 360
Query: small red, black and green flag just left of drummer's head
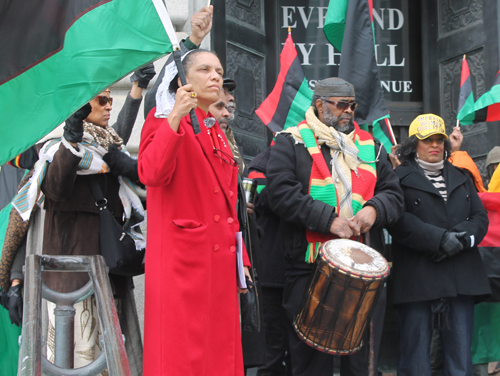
column 291, row 97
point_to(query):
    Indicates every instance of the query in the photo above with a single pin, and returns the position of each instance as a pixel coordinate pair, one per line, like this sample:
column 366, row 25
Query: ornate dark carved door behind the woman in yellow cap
column 450, row 29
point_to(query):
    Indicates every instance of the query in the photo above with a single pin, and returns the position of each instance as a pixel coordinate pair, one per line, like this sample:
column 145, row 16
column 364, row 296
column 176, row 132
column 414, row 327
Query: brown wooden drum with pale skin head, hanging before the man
column 340, row 300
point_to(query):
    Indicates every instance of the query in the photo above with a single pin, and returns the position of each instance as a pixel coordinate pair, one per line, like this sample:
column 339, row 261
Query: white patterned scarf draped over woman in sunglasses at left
column 91, row 163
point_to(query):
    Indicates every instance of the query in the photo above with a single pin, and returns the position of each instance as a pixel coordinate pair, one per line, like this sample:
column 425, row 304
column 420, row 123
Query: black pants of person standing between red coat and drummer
column 277, row 358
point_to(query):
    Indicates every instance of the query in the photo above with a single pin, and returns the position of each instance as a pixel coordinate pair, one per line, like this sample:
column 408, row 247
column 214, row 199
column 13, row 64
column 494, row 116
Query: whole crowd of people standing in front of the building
column 321, row 180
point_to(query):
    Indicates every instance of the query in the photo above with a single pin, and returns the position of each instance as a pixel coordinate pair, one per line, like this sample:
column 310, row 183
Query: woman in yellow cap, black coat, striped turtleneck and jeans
column 437, row 271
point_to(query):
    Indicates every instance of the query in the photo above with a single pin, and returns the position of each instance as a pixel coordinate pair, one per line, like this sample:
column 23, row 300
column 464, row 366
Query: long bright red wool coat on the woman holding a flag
column 192, row 322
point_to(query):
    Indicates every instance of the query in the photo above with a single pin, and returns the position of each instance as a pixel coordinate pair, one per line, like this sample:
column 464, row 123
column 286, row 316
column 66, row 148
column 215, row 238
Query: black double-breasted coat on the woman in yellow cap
column 419, row 231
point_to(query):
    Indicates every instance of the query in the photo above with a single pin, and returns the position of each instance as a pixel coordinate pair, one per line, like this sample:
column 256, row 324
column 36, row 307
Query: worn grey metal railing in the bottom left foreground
column 31, row 360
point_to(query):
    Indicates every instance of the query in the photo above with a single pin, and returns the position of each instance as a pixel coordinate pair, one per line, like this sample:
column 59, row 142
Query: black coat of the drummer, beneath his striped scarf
column 288, row 175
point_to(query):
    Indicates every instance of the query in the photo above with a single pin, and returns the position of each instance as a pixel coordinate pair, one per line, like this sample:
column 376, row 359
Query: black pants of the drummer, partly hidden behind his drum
column 307, row 361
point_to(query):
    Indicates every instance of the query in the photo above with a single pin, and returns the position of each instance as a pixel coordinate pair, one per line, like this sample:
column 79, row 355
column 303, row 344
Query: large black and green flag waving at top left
column 58, row 54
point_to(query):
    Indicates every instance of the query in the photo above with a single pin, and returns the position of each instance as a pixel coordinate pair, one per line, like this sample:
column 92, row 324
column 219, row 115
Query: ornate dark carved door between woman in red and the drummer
column 240, row 38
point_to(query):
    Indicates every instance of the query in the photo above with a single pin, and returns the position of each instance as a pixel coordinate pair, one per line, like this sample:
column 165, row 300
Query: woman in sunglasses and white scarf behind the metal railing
column 89, row 148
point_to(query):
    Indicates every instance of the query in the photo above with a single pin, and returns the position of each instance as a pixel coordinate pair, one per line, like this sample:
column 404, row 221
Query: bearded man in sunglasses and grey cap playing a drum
column 329, row 179
